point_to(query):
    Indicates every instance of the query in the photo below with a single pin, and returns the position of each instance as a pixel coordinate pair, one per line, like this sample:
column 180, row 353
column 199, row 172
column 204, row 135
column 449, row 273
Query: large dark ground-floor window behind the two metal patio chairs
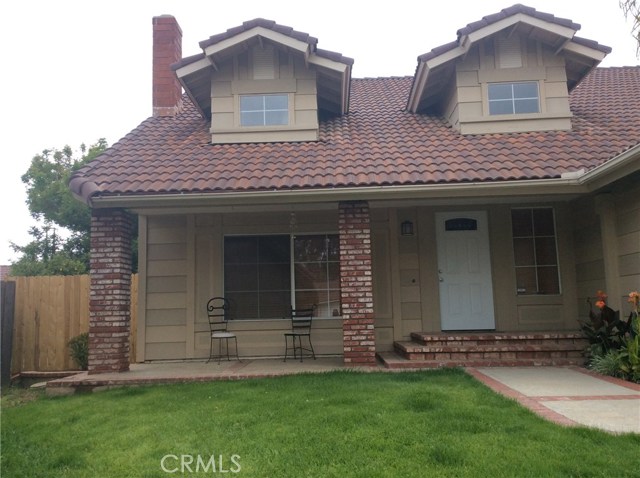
column 266, row 275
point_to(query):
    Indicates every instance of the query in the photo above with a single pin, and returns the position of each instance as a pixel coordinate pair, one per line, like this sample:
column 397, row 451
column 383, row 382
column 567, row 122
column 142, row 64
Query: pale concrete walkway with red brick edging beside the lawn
column 569, row 395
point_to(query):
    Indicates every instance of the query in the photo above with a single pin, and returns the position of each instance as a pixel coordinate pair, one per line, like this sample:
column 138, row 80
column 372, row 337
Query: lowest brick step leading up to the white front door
column 395, row 361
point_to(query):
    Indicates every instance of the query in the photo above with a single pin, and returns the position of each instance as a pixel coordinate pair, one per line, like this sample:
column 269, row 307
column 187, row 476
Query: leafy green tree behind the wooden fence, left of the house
column 60, row 243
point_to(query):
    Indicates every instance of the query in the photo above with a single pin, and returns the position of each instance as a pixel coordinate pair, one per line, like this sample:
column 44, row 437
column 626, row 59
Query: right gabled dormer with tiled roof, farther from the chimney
column 509, row 72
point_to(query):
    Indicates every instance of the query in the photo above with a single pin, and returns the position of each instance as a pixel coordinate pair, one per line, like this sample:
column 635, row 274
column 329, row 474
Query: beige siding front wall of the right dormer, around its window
column 467, row 109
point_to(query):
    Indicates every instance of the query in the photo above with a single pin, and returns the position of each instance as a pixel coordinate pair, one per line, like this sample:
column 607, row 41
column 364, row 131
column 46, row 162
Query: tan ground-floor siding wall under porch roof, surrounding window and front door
column 184, row 268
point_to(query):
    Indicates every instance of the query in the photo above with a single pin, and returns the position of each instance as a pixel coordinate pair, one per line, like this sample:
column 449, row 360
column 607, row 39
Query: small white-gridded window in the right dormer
column 513, row 98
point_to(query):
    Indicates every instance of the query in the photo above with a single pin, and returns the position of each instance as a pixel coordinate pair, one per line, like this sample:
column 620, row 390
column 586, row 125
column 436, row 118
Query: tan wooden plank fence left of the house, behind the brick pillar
column 50, row 310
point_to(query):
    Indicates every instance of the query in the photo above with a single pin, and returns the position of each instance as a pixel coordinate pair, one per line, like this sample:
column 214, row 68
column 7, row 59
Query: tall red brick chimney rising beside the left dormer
column 167, row 49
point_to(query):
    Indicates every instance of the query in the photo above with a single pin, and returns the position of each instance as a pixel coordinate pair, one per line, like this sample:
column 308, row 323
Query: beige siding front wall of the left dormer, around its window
column 291, row 76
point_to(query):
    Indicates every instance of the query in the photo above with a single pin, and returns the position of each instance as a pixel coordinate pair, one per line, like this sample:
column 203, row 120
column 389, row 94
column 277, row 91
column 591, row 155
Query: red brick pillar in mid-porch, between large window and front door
column 356, row 286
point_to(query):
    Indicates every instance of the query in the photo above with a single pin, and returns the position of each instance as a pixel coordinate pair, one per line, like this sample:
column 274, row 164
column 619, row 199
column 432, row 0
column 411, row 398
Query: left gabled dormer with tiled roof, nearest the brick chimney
column 264, row 82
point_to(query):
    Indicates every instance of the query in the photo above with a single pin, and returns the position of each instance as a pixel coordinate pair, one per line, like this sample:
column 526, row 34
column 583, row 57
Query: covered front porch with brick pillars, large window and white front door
column 386, row 276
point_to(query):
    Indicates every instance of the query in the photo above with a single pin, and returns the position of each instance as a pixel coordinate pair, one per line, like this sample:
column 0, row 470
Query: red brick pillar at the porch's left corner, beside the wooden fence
column 110, row 291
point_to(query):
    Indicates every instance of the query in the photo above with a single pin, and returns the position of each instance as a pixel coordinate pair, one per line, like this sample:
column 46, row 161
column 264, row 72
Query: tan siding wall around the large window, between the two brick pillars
column 184, row 269
